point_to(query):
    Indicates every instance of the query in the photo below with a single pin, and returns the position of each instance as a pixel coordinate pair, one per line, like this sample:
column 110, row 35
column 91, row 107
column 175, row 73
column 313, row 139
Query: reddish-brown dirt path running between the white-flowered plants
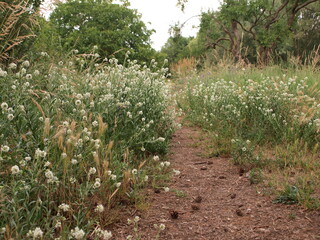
column 230, row 207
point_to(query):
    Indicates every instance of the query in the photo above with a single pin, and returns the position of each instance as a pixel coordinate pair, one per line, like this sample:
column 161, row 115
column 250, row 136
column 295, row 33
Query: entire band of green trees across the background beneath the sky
column 250, row 31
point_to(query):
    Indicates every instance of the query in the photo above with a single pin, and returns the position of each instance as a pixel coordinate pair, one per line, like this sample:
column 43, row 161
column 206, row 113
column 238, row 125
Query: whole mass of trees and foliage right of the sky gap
column 253, row 31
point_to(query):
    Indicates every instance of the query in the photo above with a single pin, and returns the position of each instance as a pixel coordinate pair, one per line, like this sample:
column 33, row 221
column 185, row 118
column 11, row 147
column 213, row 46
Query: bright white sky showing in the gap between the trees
column 161, row 14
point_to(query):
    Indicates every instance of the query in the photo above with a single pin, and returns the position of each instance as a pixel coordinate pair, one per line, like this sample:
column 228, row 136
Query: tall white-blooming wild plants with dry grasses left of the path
column 73, row 142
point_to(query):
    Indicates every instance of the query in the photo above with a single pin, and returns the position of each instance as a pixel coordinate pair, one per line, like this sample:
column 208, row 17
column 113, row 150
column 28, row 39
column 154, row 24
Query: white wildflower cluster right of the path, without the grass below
column 264, row 109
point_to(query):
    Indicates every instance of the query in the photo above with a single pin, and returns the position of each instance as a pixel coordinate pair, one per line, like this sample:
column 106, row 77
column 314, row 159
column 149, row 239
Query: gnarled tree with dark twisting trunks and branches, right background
column 269, row 23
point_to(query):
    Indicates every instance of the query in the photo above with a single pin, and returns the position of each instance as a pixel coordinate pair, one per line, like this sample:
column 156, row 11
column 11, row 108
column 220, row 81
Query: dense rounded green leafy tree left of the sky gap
column 113, row 28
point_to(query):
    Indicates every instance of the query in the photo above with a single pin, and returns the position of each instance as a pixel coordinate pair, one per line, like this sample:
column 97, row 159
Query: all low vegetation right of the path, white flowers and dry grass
column 268, row 121
